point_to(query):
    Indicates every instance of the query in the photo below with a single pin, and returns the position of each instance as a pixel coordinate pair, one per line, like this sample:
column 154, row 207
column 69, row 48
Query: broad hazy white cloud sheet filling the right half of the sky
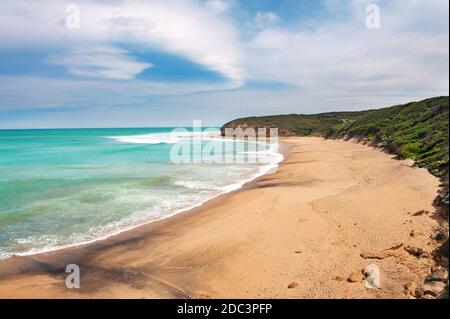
column 408, row 54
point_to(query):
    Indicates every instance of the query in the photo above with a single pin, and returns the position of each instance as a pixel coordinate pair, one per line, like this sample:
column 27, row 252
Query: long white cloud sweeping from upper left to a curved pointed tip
column 187, row 28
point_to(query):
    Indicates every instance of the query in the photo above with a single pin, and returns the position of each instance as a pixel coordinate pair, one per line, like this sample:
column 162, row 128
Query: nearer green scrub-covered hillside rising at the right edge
column 415, row 130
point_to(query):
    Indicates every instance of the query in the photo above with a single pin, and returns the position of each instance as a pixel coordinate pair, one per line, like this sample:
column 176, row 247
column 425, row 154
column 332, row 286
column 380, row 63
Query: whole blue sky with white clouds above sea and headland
column 132, row 63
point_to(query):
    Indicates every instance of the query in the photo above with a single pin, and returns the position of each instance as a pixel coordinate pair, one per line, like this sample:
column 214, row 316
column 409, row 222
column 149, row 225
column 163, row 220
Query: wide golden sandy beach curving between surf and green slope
column 332, row 208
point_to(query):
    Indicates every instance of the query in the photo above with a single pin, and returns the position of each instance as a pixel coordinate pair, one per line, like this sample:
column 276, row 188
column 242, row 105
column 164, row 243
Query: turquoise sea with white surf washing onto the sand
column 60, row 188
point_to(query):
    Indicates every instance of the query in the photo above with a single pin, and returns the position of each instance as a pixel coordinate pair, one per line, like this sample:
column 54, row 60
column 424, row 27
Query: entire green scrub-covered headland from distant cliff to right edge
column 417, row 130
